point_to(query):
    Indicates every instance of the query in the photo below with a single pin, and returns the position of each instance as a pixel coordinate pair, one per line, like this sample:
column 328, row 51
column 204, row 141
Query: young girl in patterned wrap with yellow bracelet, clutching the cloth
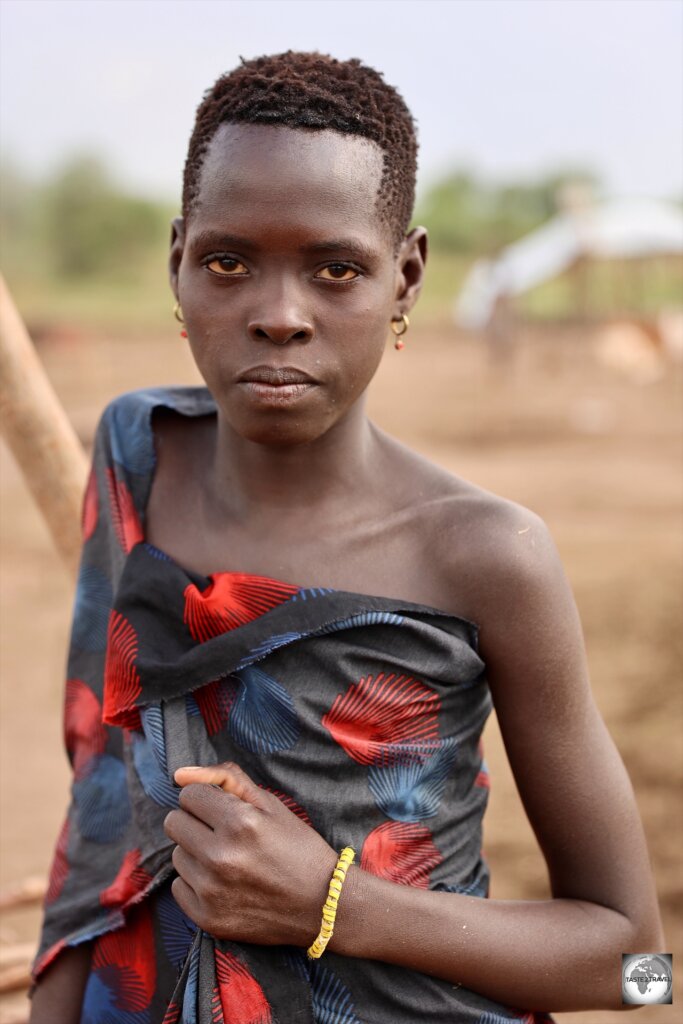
column 289, row 630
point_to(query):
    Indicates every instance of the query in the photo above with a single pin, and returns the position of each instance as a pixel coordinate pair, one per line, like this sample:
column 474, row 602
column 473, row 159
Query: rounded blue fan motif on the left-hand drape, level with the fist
column 102, row 800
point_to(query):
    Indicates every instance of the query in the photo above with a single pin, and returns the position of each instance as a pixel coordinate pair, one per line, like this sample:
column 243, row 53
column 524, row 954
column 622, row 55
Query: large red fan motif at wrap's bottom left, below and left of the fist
column 129, row 952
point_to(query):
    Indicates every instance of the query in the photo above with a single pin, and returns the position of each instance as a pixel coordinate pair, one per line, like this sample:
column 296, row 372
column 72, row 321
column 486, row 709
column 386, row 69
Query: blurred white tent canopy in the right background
column 617, row 230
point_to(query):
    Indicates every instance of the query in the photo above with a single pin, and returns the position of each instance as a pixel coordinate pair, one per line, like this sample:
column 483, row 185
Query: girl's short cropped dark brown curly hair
column 316, row 93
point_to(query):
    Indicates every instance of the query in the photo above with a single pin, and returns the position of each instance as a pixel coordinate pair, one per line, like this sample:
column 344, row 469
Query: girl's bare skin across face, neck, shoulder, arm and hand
column 285, row 264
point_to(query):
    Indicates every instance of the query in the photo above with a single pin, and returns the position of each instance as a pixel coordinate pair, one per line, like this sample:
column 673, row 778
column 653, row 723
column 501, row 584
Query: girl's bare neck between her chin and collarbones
column 252, row 481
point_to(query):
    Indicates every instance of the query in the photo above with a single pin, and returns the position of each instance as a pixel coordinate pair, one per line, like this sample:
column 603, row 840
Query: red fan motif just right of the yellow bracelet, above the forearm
column 401, row 852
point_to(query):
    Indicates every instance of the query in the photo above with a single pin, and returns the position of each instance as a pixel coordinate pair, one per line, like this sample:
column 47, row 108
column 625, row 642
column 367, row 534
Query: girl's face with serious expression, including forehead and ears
column 288, row 279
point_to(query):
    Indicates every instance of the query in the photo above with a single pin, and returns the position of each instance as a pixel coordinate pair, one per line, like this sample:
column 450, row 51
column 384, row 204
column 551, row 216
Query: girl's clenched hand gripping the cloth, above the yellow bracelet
column 249, row 870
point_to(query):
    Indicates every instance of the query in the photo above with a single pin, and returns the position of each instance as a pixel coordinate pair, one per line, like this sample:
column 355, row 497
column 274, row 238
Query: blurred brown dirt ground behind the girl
column 595, row 454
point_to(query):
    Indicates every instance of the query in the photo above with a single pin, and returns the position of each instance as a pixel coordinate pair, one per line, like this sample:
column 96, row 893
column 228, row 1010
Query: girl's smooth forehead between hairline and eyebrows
column 297, row 179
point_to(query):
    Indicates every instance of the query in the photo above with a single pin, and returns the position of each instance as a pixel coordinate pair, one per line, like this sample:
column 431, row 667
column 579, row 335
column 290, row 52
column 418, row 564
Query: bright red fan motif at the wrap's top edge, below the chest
column 232, row 600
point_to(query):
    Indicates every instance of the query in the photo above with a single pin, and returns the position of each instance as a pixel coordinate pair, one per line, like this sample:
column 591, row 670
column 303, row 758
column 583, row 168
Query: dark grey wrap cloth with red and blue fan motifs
column 362, row 714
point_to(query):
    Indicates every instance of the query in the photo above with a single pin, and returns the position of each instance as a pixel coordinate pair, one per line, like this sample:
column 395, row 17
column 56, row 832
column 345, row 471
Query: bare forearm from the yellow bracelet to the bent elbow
column 558, row 955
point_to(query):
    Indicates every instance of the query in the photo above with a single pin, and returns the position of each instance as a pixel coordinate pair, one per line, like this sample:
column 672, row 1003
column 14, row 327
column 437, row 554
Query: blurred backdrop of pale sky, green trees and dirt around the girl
column 544, row 361
